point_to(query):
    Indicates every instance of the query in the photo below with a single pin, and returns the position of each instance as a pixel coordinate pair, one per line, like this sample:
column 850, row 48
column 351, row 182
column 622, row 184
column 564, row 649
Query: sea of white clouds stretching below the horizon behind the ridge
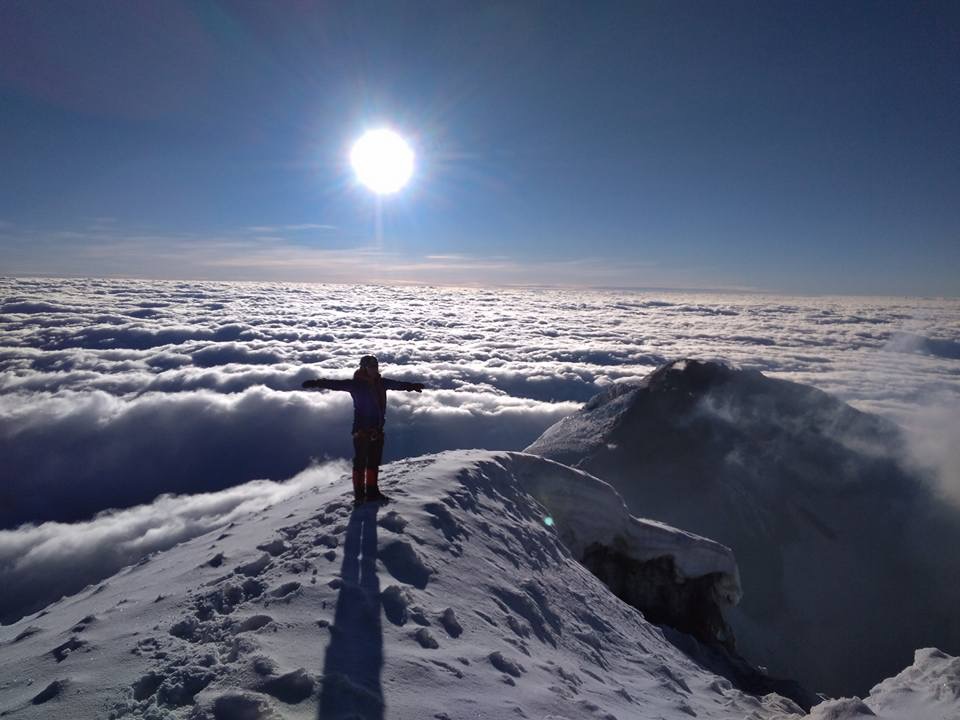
column 116, row 392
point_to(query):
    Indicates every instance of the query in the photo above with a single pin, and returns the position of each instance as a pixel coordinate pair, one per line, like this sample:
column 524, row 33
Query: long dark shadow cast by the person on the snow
column 354, row 658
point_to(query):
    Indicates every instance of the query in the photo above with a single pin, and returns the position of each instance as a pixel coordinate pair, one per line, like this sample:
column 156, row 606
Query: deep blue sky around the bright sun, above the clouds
column 787, row 146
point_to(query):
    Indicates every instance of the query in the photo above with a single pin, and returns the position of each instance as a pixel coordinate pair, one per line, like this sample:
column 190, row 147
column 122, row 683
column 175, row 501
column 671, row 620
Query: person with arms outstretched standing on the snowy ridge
column 369, row 392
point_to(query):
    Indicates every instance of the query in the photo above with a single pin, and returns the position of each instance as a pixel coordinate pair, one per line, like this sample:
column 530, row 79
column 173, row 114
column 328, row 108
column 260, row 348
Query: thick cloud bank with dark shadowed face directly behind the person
column 75, row 453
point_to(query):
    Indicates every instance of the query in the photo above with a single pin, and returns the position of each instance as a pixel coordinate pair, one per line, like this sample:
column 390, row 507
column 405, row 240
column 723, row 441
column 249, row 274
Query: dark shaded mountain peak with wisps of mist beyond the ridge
column 835, row 540
